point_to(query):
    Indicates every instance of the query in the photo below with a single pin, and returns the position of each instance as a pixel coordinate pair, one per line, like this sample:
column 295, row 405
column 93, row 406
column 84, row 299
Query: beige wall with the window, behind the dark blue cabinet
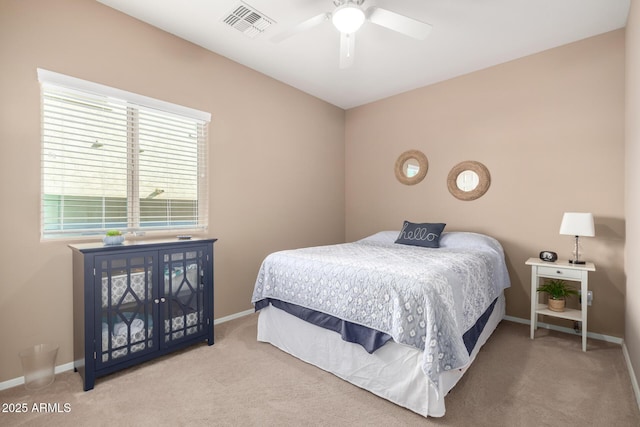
column 276, row 157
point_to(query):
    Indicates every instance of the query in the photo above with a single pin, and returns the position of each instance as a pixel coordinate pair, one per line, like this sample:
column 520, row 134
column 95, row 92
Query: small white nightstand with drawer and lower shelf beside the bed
column 561, row 269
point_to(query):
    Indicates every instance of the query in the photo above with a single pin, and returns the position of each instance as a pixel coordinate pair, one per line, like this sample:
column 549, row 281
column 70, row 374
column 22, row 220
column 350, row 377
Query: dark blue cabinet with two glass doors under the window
column 139, row 300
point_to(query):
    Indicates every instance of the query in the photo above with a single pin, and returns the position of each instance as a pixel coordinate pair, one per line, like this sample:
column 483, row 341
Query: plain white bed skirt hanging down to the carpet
column 392, row 372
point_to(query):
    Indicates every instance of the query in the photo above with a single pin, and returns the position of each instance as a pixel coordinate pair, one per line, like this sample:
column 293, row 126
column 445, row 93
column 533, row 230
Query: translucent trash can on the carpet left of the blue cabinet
column 38, row 365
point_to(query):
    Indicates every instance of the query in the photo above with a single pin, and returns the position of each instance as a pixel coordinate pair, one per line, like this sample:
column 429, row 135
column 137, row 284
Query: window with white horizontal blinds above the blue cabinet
column 116, row 160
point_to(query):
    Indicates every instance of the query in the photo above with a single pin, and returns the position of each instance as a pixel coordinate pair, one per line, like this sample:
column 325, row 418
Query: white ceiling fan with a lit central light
column 348, row 17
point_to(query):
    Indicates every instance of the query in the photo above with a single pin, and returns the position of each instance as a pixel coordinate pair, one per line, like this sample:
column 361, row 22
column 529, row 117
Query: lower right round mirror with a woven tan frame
column 468, row 180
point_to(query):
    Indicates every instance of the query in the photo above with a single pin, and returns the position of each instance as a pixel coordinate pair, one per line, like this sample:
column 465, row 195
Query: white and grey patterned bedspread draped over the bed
column 422, row 297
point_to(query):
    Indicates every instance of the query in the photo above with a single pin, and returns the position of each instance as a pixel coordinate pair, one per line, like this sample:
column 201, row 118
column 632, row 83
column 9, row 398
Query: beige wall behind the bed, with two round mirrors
column 550, row 129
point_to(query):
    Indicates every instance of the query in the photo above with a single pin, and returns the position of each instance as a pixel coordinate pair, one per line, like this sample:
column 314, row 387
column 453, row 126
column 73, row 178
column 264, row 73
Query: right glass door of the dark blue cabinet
column 183, row 293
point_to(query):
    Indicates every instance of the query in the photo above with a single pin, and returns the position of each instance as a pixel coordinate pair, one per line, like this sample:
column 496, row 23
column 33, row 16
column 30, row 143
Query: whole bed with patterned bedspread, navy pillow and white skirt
column 387, row 314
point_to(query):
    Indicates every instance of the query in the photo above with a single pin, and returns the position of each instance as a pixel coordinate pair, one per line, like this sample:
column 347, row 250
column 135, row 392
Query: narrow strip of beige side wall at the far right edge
column 632, row 311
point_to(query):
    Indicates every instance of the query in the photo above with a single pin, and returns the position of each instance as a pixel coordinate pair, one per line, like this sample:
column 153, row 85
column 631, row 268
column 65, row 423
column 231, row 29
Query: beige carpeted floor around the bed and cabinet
column 515, row 381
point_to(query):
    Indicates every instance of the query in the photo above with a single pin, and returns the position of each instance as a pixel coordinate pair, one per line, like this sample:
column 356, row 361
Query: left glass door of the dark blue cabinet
column 125, row 305
